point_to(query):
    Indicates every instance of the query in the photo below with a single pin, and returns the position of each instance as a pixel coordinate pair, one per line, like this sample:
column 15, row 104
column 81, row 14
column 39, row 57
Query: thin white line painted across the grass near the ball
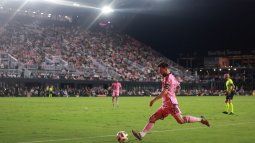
column 172, row 130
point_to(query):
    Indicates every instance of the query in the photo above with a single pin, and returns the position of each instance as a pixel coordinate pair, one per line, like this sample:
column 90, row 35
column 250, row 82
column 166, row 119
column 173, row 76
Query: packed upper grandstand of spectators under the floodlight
column 42, row 46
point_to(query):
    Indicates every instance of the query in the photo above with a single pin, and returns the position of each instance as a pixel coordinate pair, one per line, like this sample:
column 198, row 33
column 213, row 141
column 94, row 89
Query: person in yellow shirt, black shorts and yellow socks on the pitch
column 230, row 92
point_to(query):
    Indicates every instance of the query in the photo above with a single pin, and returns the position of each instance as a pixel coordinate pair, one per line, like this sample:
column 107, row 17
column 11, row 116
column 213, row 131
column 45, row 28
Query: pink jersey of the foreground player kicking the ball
column 170, row 83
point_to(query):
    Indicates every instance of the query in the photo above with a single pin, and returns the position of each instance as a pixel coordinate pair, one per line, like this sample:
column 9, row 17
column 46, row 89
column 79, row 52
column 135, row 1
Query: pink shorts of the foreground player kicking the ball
column 163, row 112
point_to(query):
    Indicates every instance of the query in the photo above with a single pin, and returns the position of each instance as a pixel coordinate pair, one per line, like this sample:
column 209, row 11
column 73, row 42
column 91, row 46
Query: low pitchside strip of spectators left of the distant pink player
column 43, row 91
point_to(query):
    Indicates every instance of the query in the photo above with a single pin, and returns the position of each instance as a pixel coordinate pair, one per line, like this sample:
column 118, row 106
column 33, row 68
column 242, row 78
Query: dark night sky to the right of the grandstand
column 184, row 26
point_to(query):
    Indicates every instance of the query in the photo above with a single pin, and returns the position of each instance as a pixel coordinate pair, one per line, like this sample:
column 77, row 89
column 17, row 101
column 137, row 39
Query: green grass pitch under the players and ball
column 94, row 120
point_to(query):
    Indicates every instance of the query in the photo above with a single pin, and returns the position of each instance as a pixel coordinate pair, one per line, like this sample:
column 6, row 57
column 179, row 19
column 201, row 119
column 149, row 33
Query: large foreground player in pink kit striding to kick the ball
column 169, row 104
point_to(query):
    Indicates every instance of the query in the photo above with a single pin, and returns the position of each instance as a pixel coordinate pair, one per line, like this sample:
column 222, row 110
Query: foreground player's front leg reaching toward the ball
column 159, row 114
